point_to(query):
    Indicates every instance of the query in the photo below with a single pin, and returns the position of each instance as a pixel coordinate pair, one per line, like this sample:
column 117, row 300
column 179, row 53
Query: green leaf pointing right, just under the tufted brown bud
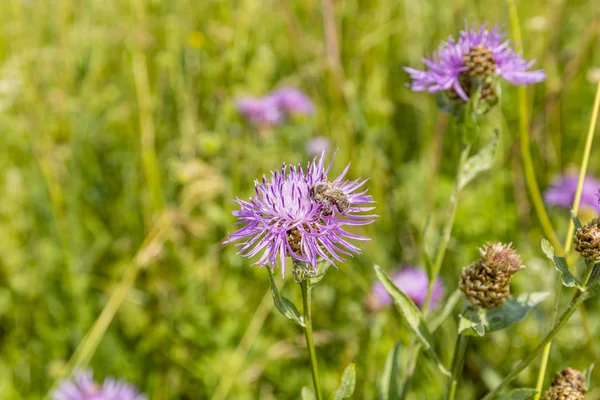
column 513, row 310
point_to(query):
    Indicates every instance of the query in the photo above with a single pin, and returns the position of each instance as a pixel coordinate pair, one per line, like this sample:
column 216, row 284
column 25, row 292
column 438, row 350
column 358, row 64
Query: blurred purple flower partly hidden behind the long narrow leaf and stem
column 413, row 282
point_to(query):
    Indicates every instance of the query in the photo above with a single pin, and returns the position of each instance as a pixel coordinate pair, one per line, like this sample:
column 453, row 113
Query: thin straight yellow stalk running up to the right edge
column 570, row 231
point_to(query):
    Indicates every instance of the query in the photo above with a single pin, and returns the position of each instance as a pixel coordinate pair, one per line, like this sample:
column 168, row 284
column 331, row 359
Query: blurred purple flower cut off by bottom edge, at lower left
column 83, row 387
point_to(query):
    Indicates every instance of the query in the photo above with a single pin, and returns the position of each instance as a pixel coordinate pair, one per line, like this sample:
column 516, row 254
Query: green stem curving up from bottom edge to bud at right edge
column 576, row 301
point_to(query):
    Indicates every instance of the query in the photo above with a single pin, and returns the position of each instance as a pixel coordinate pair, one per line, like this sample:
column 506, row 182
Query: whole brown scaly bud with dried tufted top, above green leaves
column 486, row 282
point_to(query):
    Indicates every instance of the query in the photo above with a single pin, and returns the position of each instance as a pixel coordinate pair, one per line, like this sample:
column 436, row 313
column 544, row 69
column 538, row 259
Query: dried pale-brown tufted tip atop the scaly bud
column 500, row 260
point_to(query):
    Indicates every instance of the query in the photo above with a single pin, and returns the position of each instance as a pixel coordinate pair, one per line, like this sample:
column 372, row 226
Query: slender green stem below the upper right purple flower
column 415, row 347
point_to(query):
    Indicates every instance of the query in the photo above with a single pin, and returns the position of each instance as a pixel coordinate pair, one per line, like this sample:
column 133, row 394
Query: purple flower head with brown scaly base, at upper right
column 476, row 55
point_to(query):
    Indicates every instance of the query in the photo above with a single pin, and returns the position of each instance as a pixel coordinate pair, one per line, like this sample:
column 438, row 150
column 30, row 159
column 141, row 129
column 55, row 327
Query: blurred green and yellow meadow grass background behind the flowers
column 121, row 148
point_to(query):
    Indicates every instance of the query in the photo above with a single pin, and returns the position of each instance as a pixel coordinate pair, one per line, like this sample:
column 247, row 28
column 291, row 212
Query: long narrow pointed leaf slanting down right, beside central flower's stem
column 412, row 314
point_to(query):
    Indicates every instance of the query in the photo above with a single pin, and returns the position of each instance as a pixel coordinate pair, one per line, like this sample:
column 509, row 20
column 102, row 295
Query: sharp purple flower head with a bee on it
column 302, row 214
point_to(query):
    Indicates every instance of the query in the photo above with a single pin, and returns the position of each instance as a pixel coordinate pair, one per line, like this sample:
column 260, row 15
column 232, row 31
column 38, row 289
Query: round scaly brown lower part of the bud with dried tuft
column 481, row 288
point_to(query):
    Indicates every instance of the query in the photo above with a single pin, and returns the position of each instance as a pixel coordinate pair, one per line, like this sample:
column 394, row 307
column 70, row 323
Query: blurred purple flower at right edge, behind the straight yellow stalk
column 563, row 189
